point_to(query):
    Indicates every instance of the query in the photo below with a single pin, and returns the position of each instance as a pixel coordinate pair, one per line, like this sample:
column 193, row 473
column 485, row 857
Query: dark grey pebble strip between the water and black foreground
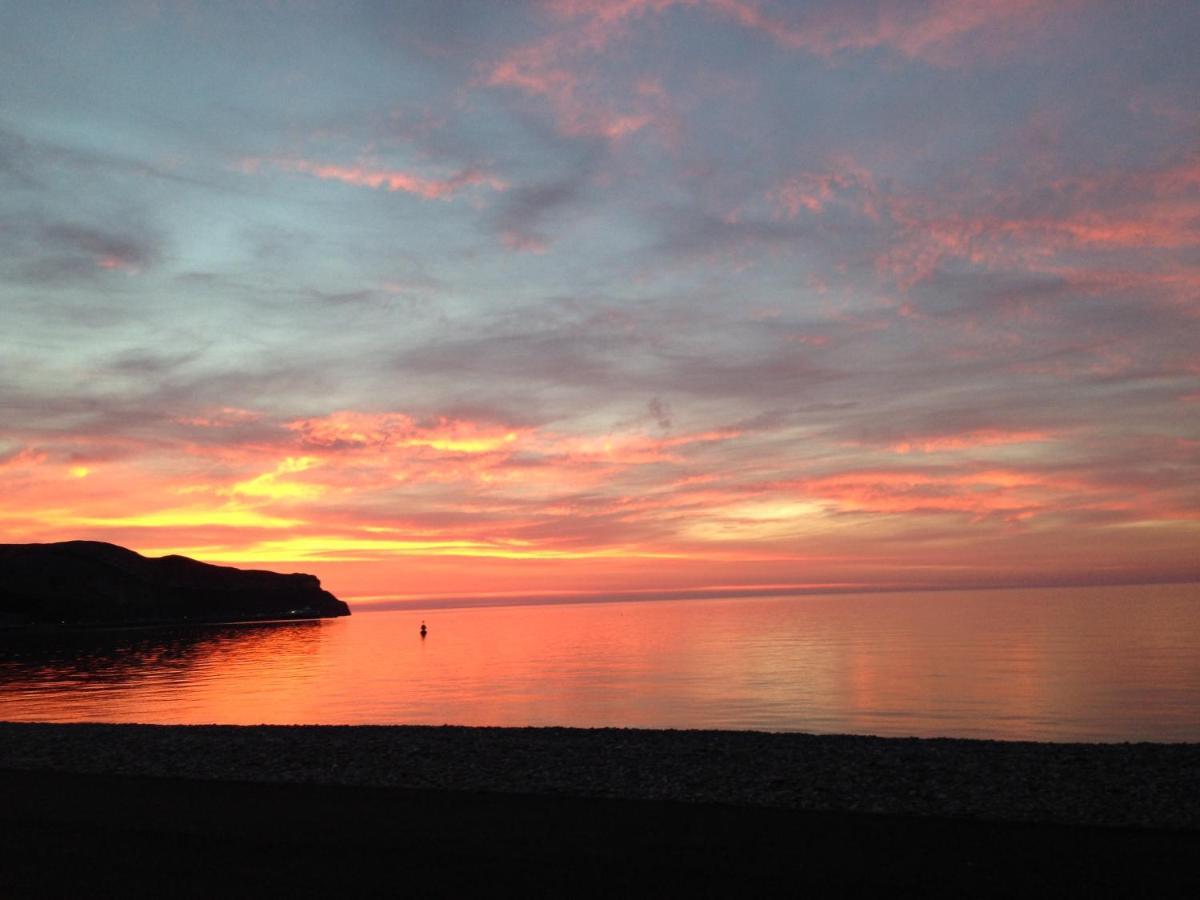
column 1148, row 785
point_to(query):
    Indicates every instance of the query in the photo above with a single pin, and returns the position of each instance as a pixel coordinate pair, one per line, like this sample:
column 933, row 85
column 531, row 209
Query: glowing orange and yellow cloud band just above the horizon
column 347, row 493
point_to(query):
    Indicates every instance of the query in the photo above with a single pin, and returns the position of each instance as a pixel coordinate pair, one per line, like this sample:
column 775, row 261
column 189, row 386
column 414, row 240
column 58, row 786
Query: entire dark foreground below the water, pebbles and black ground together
column 79, row 824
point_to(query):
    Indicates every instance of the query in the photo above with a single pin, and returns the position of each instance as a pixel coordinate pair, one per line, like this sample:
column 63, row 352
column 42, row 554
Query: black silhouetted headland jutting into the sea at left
column 94, row 584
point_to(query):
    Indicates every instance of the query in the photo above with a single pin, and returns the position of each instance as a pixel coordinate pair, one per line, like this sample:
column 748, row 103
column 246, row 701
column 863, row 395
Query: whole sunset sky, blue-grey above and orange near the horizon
column 581, row 298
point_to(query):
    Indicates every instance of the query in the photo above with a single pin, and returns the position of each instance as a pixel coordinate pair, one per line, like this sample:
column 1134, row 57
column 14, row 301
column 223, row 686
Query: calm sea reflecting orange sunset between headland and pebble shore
column 1079, row 664
